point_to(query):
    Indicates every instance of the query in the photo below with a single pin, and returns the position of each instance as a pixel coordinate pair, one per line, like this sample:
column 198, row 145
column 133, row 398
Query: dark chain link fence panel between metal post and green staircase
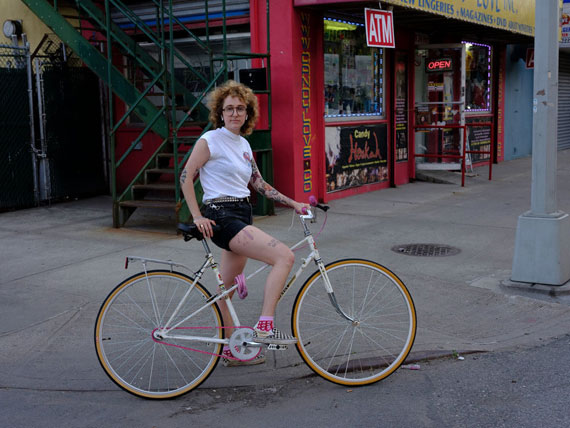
column 72, row 137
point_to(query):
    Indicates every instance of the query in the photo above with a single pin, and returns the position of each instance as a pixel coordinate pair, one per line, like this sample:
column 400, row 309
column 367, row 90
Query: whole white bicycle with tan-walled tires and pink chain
column 159, row 333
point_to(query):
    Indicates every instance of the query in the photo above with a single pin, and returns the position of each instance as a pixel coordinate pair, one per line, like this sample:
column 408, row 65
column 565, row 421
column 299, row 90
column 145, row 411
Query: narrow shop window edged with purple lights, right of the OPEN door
column 477, row 77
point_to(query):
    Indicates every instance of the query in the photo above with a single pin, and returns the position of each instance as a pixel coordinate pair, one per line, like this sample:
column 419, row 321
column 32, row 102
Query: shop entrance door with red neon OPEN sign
column 439, row 101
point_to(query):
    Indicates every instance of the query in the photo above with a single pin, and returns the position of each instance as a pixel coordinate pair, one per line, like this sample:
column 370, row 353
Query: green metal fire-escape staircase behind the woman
column 165, row 107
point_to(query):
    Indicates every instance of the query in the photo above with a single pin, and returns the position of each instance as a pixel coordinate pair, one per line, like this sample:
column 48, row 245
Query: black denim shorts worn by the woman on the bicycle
column 232, row 217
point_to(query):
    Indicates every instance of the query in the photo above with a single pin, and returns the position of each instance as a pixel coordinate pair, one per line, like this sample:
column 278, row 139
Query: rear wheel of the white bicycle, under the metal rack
column 142, row 364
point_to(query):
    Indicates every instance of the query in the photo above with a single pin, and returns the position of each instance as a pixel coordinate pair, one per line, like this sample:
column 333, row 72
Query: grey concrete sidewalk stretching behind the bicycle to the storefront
column 58, row 263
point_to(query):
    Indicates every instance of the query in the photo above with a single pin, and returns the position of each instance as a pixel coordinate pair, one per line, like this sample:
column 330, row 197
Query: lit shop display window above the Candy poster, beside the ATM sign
column 354, row 80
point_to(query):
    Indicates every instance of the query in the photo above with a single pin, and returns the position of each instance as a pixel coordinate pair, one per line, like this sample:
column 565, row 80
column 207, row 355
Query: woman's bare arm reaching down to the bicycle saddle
column 199, row 156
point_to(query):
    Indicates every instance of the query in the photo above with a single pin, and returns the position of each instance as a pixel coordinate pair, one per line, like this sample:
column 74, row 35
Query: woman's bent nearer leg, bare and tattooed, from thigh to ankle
column 254, row 243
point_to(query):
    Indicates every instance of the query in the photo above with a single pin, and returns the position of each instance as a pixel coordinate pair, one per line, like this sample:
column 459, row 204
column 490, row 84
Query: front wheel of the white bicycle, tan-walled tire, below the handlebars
column 373, row 337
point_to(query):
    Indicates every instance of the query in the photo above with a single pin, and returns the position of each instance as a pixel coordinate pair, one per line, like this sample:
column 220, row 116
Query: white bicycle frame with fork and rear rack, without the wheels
column 168, row 331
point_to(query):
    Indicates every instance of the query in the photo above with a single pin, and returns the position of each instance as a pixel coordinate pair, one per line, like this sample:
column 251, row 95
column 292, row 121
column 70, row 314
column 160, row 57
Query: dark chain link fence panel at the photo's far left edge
column 17, row 176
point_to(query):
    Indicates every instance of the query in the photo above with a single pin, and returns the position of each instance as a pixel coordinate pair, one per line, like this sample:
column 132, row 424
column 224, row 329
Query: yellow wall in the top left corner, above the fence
column 32, row 25
